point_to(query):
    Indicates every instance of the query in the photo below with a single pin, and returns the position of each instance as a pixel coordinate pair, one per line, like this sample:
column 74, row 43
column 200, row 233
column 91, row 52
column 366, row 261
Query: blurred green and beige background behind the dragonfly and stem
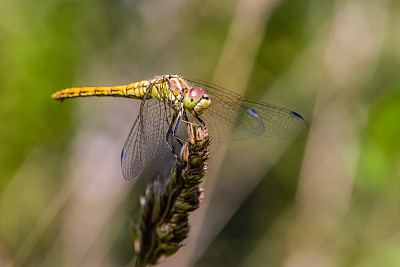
column 331, row 198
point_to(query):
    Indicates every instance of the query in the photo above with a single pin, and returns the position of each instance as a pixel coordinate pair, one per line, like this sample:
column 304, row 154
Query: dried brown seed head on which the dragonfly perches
column 166, row 205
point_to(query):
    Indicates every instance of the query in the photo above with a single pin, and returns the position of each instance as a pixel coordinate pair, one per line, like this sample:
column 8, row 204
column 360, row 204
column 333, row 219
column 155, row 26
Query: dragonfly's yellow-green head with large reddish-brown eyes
column 196, row 101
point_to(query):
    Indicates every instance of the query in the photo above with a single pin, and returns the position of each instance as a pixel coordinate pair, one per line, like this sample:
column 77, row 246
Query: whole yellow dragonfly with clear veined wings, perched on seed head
column 170, row 102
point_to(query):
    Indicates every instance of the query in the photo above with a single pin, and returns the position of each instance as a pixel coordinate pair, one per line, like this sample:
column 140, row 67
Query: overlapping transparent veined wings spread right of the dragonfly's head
column 234, row 117
